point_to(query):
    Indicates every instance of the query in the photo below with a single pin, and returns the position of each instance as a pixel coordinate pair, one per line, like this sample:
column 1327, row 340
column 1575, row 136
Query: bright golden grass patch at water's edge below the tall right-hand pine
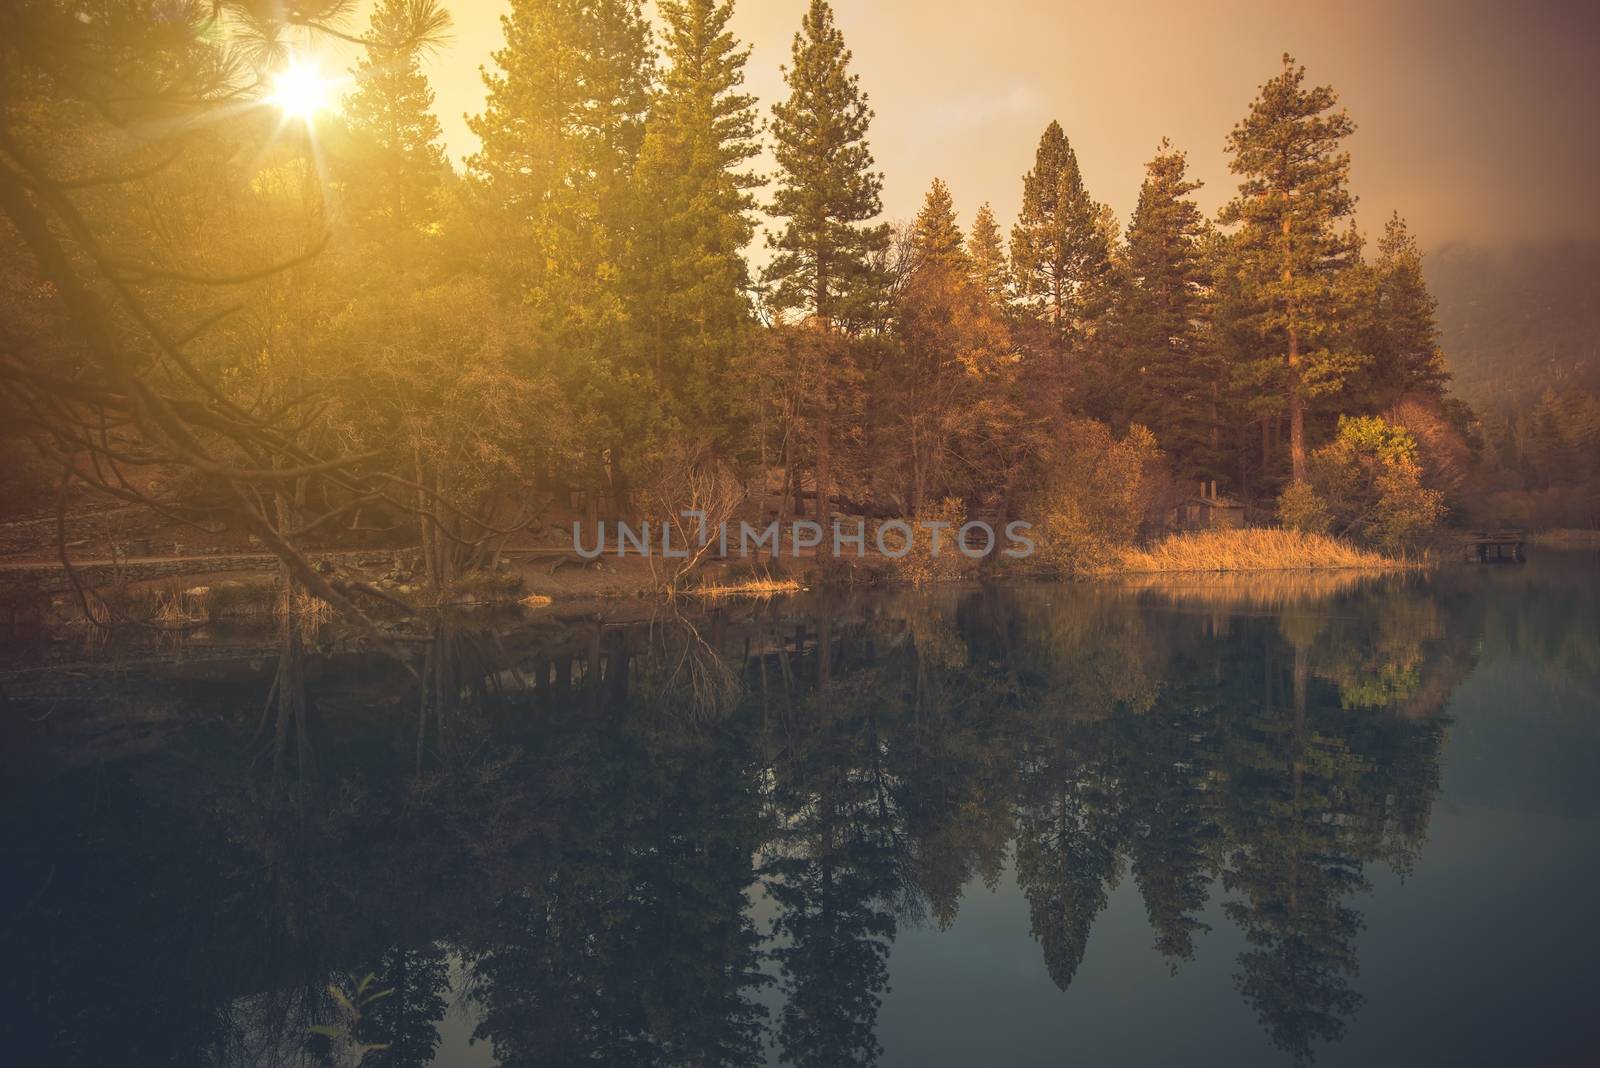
column 1250, row 551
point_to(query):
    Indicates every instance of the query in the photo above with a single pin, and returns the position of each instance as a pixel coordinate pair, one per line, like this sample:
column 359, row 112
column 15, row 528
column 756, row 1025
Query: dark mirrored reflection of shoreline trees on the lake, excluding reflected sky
column 694, row 840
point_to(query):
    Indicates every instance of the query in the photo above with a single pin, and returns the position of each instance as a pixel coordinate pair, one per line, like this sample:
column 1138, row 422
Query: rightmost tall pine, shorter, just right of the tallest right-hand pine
column 1407, row 359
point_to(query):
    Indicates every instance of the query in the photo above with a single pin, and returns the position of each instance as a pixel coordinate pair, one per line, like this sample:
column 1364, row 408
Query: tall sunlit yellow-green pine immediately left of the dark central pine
column 695, row 313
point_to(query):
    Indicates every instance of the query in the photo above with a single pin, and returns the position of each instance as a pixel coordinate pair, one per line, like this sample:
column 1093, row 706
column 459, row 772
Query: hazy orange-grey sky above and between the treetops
column 1479, row 119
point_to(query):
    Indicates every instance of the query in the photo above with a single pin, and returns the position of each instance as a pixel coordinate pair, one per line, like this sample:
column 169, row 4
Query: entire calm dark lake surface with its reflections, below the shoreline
column 1206, row 823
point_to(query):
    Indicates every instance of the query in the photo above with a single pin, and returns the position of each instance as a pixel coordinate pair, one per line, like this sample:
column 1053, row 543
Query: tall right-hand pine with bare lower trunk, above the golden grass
column 1290, row 202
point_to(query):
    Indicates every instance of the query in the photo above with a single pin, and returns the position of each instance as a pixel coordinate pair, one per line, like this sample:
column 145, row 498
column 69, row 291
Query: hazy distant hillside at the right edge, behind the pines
column 1519, row 321
